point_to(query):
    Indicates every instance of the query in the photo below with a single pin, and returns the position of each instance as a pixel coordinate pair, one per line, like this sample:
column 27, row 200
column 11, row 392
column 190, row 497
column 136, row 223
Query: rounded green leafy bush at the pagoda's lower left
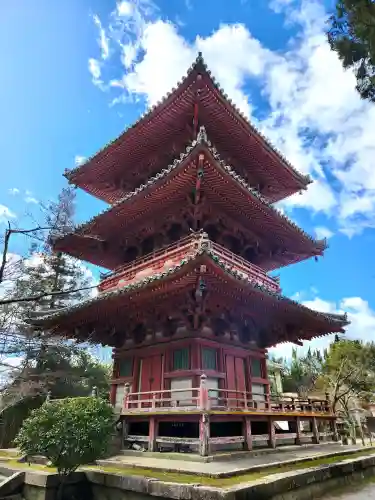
column 69, row 432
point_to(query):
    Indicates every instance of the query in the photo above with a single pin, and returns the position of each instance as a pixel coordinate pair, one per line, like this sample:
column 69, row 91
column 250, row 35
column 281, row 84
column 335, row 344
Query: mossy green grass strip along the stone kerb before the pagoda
column 176, row 477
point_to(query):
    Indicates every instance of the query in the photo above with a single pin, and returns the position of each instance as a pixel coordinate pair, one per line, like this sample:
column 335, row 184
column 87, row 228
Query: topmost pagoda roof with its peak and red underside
column 141, row 150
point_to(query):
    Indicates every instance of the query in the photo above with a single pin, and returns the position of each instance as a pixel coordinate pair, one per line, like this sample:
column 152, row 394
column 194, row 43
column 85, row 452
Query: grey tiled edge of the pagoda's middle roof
column 202, row 140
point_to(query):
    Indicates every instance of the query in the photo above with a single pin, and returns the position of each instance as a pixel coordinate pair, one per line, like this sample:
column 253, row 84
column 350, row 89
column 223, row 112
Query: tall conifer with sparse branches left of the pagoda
column 44, row 270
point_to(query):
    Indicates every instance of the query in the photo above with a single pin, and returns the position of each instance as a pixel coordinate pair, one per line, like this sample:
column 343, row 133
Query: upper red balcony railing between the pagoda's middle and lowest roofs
column 171, row 255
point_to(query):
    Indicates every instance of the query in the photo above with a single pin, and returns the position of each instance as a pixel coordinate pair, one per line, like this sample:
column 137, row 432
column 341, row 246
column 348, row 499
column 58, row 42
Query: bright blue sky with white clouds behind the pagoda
column 75, row 74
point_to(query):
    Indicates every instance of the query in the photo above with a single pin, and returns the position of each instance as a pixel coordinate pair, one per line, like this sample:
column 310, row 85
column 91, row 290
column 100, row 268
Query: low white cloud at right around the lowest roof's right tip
column 360, row 314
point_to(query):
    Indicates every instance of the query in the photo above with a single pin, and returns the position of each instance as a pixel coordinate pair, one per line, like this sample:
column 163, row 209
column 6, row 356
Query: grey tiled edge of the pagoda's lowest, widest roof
column 338, row 320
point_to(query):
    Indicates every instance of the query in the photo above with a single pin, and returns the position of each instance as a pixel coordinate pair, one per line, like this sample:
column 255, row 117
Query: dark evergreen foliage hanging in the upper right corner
column 352, row 37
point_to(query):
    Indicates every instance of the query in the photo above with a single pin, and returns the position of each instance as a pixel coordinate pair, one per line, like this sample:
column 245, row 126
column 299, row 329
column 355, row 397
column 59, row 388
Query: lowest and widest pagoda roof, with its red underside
column 284, row 319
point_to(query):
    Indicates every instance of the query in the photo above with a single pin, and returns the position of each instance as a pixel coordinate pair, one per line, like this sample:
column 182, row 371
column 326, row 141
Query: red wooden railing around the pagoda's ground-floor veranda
column 203, row 398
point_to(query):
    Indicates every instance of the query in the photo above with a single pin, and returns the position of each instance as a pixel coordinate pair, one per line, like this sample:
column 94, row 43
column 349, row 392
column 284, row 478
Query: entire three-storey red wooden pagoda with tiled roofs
column 189, row 307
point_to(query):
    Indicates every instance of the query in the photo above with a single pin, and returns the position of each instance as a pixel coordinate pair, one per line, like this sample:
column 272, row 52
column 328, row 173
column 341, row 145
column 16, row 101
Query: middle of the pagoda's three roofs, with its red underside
column 163, row 192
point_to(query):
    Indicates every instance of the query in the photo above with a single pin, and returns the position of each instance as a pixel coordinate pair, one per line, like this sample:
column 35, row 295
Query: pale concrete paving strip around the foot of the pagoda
column 230, row 466
